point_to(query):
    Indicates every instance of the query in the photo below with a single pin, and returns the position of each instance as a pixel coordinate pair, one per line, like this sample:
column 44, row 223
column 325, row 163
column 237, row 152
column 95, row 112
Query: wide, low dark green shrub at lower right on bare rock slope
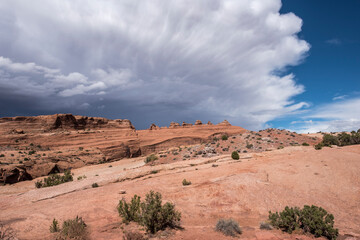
column 314, row 220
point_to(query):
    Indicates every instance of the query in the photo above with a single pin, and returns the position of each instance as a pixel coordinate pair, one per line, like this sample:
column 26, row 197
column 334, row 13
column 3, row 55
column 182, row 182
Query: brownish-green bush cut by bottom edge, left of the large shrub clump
column 73, row 229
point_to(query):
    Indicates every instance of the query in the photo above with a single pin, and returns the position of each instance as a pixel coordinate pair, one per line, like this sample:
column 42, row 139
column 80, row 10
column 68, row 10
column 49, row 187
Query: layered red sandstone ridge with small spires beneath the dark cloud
column 64, row 141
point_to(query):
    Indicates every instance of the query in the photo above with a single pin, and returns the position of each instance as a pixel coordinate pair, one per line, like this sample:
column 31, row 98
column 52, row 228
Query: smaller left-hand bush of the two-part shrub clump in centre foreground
column 130, row 212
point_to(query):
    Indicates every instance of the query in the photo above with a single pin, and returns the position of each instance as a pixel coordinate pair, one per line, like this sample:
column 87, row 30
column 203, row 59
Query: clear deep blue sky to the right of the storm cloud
column 331, row 71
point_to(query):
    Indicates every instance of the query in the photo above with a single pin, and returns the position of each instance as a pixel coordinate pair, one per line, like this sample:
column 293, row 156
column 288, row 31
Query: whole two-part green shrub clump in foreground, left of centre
column 151, row 213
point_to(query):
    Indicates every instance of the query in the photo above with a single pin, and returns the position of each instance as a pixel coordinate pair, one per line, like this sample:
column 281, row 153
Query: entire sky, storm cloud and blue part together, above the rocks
column 257, row 63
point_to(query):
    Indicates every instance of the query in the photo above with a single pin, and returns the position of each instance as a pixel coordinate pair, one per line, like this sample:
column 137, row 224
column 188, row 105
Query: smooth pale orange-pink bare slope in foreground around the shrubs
column 244, row 190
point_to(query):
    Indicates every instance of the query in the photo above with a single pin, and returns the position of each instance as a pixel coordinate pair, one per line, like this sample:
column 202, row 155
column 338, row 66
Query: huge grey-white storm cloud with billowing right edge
column 150, row 61
